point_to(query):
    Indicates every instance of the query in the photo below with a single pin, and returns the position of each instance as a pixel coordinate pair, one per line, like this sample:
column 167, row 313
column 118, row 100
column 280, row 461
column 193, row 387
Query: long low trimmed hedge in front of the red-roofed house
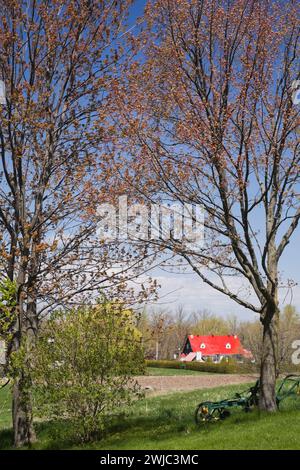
column 222, row 368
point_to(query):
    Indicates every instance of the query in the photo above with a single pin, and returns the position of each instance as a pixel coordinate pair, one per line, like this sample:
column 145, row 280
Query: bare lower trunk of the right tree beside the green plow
column 268, row 371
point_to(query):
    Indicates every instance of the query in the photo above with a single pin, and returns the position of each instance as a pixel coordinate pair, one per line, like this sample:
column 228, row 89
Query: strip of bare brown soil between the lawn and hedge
column 163, row 384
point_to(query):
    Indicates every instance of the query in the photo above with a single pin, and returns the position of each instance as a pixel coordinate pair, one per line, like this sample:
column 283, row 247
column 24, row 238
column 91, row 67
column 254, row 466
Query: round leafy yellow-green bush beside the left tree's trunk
column 83, row 364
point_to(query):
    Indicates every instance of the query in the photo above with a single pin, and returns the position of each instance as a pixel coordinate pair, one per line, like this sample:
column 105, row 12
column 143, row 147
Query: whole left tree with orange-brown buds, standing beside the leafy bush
column 58, row 61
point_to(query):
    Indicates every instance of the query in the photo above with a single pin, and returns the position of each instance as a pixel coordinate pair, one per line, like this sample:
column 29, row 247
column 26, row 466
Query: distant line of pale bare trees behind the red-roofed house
column 164, row 332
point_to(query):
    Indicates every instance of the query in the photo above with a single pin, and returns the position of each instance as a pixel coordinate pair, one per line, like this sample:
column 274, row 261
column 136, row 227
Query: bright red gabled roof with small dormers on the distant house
column 210, row 345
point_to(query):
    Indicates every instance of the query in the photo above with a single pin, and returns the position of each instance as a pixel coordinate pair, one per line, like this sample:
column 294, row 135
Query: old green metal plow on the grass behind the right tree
column 209, row 411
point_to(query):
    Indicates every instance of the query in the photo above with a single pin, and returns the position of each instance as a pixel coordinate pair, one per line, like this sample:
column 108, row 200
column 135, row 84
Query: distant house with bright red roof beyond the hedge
column 200, row 348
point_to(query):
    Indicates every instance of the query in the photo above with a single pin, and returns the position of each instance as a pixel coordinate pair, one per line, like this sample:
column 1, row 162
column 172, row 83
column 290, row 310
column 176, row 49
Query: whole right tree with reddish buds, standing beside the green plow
column 209, row 119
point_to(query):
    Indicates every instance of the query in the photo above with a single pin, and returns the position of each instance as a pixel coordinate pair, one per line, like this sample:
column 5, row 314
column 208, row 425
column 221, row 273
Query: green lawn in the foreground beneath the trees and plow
column 166, row 422
